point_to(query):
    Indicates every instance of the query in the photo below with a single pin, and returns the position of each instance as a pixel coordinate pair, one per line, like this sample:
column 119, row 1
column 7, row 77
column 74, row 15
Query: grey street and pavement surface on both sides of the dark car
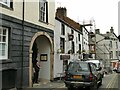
column 110, row 82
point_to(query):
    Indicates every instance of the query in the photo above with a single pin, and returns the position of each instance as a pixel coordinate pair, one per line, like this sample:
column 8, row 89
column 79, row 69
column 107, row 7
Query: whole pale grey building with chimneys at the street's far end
column 107, row 47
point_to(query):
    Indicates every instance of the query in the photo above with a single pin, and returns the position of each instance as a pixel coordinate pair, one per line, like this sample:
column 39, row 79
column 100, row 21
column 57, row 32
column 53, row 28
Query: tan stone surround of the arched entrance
column 38, row 36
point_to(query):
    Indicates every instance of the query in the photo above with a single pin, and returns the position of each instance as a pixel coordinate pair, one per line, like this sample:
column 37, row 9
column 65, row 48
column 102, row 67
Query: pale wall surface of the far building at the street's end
column 103, row 47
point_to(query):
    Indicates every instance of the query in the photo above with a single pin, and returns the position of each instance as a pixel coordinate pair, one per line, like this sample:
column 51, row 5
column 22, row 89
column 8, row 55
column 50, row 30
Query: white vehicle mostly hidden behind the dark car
column 99, row 65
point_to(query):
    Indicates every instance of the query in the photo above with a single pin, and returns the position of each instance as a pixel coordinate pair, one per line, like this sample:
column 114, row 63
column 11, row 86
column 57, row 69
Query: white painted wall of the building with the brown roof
column 58, row 64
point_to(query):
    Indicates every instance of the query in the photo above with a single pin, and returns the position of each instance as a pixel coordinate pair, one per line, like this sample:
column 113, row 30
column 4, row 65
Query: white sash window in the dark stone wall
column 3, row 43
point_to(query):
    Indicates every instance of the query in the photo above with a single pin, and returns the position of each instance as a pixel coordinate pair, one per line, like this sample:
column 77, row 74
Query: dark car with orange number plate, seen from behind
column 82, row 74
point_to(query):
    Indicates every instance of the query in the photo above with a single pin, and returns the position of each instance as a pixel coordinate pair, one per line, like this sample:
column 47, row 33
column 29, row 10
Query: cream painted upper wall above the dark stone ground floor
column 31, row 12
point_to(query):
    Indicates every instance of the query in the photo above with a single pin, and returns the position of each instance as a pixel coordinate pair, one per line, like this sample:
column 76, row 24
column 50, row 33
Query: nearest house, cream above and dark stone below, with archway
column 23, row 23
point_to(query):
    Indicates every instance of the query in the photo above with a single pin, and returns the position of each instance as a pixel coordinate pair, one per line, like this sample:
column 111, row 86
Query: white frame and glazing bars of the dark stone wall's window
column 2, row 42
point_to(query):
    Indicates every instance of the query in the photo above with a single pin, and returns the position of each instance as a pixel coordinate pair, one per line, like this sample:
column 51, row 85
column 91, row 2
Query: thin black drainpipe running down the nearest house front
column 21, row 84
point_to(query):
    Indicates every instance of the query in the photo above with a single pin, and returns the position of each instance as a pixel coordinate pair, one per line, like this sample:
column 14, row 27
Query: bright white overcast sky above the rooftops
column 104, row 13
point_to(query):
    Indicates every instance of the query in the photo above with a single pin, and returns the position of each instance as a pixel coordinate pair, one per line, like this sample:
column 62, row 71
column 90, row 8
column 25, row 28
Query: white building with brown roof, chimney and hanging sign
column 67, row 41
